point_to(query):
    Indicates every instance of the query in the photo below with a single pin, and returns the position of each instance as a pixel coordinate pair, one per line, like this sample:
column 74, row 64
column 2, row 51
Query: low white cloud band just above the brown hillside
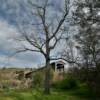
column 15, row 62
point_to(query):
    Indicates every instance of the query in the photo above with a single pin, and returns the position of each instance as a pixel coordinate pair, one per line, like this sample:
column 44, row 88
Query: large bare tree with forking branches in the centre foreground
column 48, row 29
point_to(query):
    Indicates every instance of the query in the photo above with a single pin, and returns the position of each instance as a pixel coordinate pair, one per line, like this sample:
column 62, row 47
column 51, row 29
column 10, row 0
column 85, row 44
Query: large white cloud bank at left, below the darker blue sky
column 7, row 46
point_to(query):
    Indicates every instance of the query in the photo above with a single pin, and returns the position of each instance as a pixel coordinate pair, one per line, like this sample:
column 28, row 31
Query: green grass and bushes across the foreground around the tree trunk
column 69, row 88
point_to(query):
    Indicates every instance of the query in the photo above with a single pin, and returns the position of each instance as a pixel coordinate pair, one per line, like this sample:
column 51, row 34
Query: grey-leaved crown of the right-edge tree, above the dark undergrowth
column 88, row 38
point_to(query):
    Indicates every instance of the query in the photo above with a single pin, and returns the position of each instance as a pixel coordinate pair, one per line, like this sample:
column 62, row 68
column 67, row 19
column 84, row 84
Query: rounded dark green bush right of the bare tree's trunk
column 65, row 84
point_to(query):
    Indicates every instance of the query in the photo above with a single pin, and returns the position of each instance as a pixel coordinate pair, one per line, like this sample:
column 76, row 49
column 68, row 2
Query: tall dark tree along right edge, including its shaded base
column 87, row 18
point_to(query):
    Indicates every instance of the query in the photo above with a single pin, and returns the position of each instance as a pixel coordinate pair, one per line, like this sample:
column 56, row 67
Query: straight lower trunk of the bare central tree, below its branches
column 47, row 78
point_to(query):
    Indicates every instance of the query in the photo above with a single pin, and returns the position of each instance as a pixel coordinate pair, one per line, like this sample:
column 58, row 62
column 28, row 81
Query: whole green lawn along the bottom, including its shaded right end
column 38, row 95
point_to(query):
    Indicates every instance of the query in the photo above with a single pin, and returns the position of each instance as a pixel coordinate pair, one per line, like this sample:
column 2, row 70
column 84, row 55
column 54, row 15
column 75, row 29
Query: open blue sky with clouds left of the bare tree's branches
column 12, row 12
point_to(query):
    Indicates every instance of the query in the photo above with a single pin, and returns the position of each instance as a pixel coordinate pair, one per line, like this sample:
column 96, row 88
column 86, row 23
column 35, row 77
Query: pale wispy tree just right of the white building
column 70, row 54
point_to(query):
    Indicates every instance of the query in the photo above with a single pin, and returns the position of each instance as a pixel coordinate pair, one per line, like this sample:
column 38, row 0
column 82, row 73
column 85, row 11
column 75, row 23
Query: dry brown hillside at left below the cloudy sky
column 10, row 78
